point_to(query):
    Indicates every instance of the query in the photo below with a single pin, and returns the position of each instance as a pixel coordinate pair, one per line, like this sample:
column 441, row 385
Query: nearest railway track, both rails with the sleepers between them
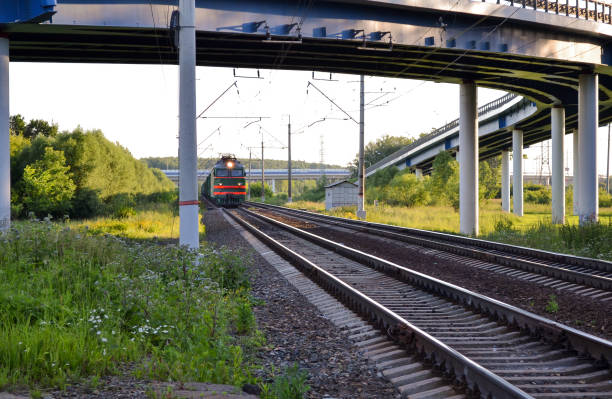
column 493, row 349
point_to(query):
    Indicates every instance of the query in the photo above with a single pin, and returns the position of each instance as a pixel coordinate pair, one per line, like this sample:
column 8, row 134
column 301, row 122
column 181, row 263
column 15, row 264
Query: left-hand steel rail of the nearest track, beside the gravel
column 477, row 378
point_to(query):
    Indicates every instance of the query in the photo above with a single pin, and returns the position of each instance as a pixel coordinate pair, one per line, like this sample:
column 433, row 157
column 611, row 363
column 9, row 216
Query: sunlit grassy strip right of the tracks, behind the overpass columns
column 532, row 230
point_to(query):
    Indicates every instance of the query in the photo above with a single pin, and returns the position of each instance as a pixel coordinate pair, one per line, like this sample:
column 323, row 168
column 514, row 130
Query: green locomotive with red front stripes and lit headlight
column 226, row 183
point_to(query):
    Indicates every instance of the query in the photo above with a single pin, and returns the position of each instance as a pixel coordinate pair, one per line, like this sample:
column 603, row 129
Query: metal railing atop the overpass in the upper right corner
column 599, row 11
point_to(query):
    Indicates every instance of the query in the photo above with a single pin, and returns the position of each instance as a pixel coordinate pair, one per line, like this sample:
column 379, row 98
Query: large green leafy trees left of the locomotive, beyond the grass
column 98, row 171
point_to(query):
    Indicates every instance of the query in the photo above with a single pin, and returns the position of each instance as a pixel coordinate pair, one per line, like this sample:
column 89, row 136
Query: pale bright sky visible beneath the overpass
column 137, row 106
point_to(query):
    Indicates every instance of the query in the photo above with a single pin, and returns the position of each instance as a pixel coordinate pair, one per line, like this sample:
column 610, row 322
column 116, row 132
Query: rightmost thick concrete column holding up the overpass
column 588, row 119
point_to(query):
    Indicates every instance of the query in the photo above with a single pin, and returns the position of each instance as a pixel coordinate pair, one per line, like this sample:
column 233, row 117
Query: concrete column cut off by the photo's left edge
column 5, row 157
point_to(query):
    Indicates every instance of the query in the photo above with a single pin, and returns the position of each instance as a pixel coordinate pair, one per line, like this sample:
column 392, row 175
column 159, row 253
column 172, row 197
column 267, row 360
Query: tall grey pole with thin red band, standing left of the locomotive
column 188, row 182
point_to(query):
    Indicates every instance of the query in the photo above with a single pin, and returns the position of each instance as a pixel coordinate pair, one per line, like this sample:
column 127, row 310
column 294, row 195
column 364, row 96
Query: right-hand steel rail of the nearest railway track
column 548, row 330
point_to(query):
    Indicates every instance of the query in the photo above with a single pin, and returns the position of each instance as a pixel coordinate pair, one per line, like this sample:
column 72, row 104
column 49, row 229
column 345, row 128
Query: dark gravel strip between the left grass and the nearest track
column 296, row 332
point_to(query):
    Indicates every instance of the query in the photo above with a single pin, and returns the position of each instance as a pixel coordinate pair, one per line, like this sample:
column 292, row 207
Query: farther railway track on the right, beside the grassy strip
column 584, row 276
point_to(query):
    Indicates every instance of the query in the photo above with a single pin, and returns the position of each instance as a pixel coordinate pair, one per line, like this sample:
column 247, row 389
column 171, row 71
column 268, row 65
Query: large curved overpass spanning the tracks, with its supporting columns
column 554, row 53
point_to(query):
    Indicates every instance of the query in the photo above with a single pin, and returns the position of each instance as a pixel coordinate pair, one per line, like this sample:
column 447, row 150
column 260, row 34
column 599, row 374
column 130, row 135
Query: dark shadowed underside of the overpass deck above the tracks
column 544, row 81
